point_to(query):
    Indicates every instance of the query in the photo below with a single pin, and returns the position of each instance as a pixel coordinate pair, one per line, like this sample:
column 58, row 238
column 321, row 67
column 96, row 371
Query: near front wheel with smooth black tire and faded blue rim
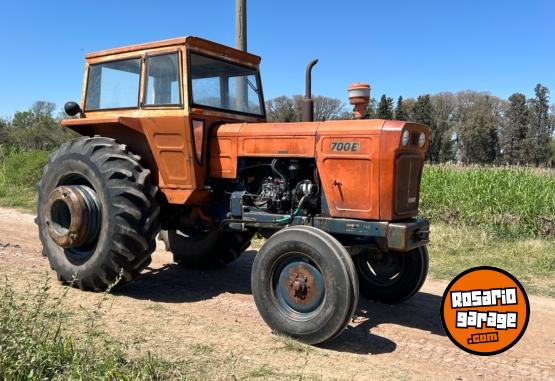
column 302, row 285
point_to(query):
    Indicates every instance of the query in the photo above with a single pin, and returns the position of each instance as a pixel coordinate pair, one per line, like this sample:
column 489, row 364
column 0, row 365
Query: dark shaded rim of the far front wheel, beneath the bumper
column 383, row 269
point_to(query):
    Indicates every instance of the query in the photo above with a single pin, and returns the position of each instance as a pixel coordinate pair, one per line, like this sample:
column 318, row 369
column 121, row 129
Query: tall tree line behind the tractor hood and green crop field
column 468, row 127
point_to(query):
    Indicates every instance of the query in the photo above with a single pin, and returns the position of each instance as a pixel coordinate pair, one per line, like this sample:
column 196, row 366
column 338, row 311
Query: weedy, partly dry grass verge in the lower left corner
column 43, row 336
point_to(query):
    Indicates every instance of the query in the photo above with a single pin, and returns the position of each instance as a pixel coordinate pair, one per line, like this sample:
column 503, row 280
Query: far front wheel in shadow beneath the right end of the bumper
column 392, row 277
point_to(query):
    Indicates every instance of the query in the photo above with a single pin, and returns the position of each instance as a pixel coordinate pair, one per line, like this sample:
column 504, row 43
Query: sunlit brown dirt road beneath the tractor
column 171, row 311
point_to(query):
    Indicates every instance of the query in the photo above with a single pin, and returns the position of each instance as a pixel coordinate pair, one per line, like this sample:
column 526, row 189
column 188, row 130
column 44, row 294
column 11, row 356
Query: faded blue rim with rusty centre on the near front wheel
column 298, row 286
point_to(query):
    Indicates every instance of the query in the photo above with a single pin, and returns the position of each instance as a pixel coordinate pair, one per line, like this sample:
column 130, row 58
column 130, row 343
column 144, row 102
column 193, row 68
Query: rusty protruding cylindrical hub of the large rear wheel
column 72, row 215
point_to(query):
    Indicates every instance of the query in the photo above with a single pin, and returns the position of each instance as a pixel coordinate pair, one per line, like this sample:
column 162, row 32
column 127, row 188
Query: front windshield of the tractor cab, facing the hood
column 225, row 86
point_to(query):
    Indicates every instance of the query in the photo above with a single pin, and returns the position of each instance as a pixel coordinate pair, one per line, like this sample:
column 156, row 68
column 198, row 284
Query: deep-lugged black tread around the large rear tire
column 133, row 208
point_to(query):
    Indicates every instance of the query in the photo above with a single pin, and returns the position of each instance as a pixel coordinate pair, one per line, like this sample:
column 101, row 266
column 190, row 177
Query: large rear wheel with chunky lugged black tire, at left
column 125, row 214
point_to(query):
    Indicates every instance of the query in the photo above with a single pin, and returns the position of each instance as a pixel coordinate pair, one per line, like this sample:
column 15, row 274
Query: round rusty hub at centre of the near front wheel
column 301, row 287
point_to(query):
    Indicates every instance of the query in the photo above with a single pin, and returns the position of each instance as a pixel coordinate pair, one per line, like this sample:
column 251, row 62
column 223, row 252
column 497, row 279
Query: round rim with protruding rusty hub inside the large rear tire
column 73, row 217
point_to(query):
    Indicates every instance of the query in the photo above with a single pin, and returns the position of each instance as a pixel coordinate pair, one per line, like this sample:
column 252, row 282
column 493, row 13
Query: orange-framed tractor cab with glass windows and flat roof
column 182, row 76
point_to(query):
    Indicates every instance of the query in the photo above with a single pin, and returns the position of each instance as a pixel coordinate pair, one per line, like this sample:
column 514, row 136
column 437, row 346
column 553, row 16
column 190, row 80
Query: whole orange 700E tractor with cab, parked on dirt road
column 175, row 143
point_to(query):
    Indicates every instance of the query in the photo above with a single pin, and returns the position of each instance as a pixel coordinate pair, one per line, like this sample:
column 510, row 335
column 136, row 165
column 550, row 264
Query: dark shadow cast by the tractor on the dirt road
column 175, row 284
